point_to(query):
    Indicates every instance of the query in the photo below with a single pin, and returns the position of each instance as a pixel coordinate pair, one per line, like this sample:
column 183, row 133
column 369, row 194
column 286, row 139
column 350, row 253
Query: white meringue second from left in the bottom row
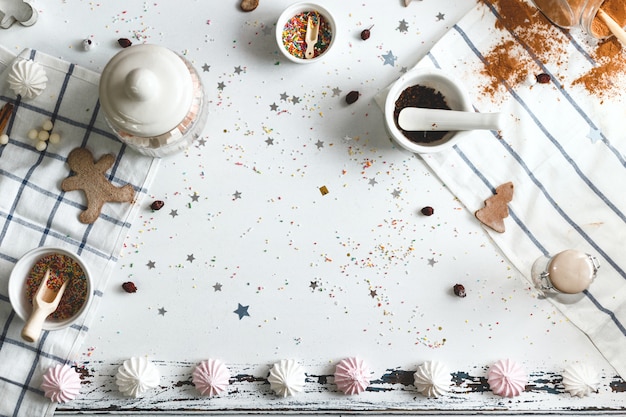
column 137, row 376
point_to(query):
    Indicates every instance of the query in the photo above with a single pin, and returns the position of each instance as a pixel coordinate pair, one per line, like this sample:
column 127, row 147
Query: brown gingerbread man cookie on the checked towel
column 89, row 177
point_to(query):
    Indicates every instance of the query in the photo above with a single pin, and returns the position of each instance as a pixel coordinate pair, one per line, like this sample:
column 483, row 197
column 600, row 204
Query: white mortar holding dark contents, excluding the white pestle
column 427, row 88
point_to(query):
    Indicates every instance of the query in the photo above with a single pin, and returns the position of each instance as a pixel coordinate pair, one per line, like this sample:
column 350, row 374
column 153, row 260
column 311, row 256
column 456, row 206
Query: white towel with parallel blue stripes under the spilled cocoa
column 562, row 145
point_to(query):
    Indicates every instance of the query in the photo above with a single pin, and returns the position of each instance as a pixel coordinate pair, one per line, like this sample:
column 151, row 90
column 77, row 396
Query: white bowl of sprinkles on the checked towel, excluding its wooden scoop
column 28, row 273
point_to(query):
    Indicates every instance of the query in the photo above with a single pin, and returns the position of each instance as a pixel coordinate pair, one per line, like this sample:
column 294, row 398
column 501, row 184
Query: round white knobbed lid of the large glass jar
column 146, row 90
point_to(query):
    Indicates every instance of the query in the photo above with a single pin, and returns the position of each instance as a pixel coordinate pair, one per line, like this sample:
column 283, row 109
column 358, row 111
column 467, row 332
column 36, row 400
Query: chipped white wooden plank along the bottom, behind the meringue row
column 391, row 392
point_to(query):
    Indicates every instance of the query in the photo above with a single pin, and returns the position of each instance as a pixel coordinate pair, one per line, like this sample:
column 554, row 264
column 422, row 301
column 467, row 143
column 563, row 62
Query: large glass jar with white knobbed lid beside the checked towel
column 153, row 100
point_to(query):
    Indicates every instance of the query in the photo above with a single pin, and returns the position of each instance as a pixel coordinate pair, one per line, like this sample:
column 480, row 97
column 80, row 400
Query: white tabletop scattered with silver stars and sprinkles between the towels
column 356, row 272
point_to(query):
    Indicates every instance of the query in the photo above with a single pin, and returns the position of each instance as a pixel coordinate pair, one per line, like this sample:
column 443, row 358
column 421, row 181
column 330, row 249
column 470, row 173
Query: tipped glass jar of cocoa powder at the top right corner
column 570, row 14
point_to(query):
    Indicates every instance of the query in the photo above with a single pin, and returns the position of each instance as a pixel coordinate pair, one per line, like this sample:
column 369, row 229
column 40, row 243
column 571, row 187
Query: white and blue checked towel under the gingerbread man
column 35, row 212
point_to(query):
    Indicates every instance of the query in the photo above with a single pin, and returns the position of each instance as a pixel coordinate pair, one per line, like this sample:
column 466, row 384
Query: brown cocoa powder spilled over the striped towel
column 505, row 63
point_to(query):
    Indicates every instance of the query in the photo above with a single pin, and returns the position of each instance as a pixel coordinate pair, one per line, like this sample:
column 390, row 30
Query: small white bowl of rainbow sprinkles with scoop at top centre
column 301, row 22
